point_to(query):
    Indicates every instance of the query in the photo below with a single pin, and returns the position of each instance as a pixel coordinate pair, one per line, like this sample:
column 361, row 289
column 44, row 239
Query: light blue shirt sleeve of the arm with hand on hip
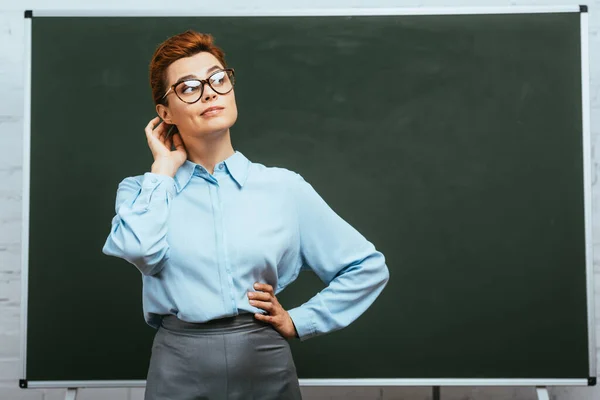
column 354, row 271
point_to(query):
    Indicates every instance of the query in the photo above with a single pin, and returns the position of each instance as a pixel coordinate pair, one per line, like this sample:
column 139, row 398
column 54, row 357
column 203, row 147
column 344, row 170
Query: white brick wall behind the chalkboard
column 11, row 127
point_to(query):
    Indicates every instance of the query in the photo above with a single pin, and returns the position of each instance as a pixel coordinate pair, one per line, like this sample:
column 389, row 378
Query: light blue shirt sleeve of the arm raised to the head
column 139, row 228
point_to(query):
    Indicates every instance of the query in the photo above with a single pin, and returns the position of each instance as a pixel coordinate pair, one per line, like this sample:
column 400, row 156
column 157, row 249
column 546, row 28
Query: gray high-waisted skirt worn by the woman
column 226, row 359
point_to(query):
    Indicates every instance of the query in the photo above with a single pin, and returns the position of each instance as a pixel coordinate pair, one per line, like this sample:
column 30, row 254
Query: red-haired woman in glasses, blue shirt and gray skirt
column 217, row 236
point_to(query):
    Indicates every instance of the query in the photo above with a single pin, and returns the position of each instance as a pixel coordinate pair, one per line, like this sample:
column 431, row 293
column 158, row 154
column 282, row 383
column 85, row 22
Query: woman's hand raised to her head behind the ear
column 166, row 161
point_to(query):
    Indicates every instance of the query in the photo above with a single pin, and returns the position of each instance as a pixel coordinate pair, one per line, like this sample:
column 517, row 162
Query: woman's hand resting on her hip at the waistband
column 264, row 298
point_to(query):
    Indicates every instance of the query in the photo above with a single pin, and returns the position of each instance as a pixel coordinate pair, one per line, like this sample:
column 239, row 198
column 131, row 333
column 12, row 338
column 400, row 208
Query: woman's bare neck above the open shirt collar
column 209, row 150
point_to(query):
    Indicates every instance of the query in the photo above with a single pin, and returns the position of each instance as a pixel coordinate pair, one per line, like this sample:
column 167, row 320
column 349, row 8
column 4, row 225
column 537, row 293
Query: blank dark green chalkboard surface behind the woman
column 454, row 143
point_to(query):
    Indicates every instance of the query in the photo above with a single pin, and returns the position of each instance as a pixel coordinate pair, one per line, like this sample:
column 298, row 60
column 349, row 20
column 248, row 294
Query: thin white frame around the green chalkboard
column 321, row 12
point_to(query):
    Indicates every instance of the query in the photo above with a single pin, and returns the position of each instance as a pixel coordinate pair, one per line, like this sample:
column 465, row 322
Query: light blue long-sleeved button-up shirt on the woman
column 202, row 240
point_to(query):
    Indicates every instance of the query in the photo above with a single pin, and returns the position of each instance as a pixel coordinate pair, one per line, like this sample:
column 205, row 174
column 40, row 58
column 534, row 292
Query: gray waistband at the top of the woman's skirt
column 237, row 323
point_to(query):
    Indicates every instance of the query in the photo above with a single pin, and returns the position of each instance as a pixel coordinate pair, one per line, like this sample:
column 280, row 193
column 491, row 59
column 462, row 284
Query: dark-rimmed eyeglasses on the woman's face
column 190, row 90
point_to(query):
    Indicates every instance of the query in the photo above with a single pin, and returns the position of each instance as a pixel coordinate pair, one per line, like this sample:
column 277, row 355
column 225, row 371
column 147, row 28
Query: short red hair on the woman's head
column 183, row 45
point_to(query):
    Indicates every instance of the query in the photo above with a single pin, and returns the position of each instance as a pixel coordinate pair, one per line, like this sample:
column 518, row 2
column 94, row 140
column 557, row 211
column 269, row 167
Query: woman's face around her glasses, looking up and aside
column 192, row 119
